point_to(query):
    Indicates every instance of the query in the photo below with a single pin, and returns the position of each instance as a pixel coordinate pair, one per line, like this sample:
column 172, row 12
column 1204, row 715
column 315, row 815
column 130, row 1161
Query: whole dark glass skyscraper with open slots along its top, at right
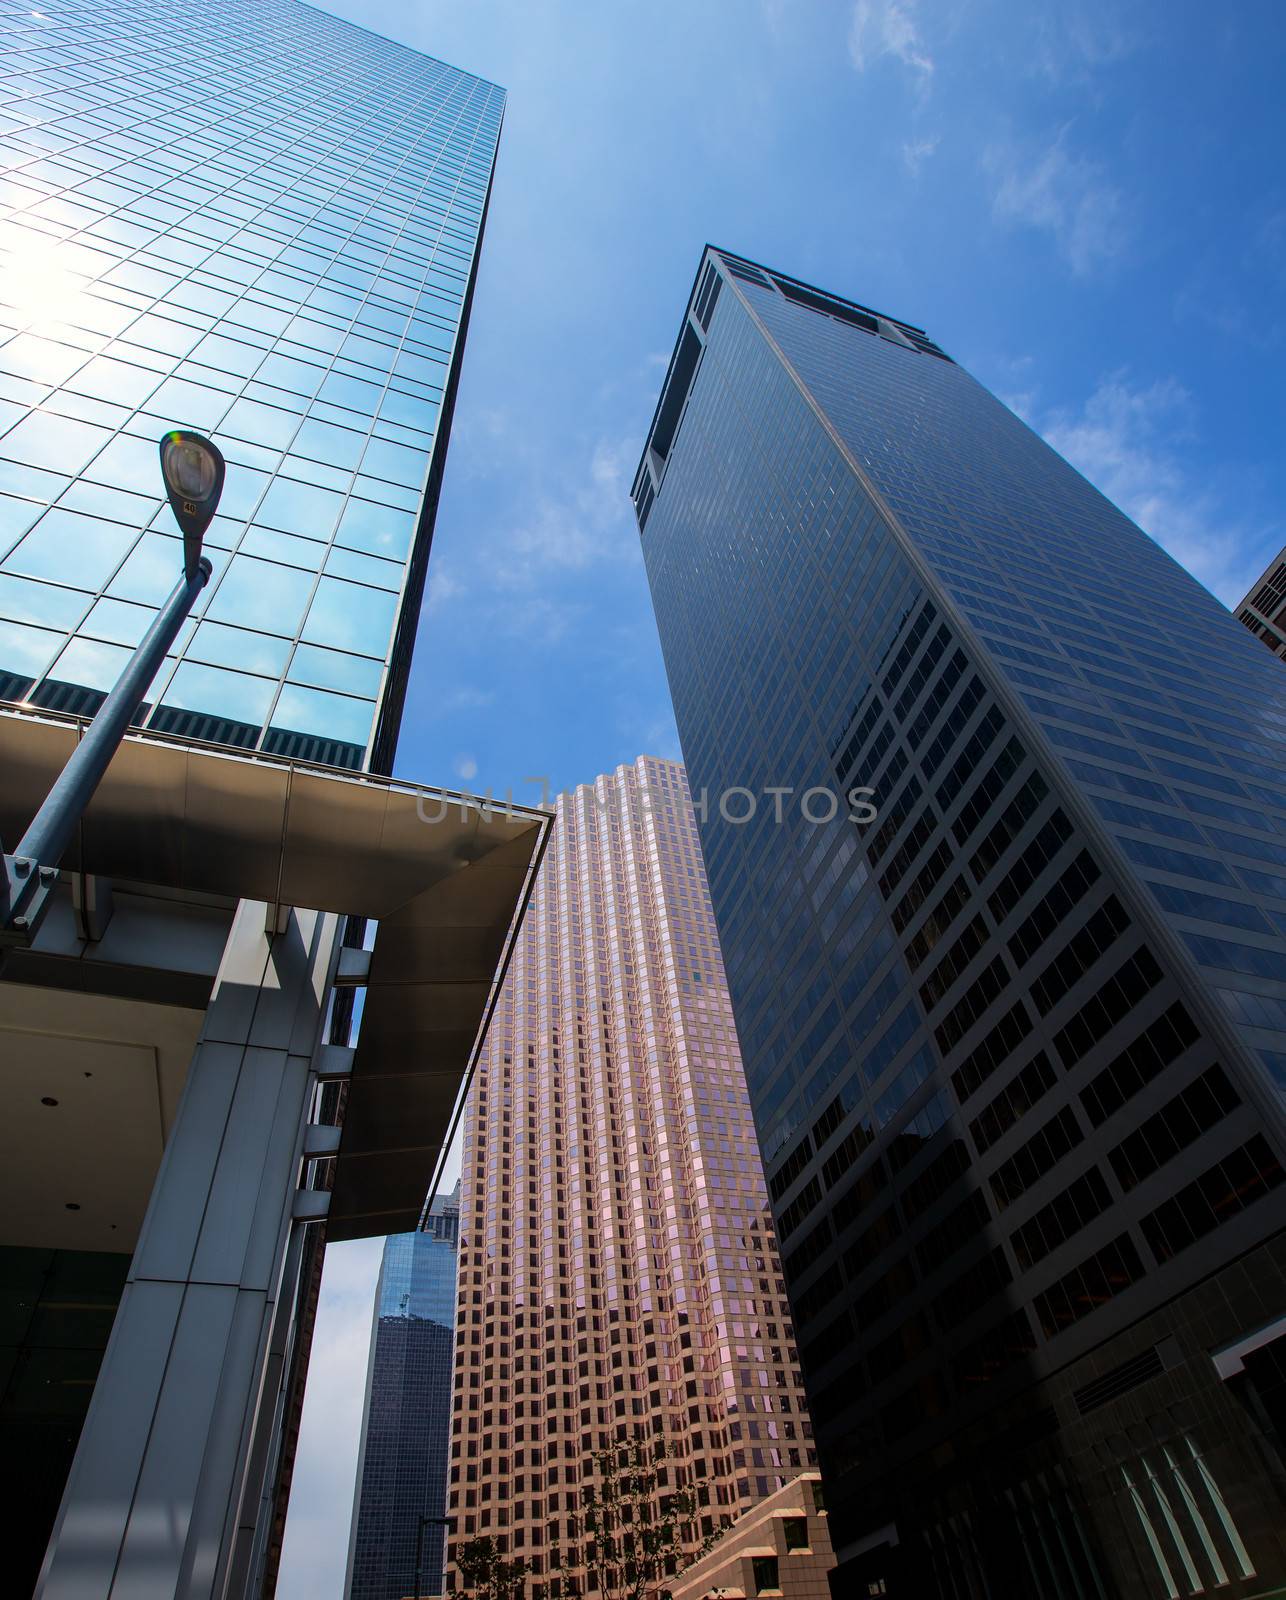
column 1016, row 1049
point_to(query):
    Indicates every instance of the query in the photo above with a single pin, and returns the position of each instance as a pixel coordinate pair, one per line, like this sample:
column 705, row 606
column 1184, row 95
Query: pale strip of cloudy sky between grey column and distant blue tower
column 316, row 1551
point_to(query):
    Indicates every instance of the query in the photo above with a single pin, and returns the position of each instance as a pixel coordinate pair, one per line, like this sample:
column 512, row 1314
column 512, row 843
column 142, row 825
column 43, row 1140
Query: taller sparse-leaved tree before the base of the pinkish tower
column 633, row 1521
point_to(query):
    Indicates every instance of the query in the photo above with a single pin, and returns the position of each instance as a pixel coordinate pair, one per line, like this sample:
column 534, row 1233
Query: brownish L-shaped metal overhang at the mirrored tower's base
column 445, row 879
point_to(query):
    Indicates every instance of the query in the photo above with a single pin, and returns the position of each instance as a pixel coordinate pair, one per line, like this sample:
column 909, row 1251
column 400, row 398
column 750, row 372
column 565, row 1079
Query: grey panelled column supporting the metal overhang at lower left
column 162, row 1470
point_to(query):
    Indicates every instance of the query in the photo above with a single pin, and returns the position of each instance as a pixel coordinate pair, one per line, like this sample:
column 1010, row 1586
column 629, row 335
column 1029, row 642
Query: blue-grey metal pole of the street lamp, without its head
column 54, row 825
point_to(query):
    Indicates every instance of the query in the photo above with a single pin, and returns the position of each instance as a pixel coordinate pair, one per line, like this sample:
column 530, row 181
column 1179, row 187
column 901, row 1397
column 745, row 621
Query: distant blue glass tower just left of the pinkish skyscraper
column 402, row 1466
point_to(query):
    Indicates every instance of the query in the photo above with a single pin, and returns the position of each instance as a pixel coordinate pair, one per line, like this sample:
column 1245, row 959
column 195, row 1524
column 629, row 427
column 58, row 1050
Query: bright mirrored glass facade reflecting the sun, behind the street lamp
column 258, row 222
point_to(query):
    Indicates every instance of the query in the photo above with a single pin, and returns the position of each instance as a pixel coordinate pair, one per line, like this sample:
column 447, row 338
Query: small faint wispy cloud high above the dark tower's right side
column 1064, row 196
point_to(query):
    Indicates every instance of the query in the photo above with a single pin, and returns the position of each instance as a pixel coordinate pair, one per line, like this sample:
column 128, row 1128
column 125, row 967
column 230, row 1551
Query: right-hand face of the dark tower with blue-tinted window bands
column 1055, row 580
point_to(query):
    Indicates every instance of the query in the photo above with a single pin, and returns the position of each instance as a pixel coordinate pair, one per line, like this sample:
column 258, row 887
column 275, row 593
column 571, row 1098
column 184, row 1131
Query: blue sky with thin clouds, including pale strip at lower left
column 1082, row 202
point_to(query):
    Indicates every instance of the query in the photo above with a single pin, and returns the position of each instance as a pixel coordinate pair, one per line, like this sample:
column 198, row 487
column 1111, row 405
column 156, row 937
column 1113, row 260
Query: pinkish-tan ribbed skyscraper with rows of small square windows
column 618, row 1270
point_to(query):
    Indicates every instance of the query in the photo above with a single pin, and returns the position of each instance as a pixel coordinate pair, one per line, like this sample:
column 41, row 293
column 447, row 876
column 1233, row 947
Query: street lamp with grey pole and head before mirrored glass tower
column 194, row 479
